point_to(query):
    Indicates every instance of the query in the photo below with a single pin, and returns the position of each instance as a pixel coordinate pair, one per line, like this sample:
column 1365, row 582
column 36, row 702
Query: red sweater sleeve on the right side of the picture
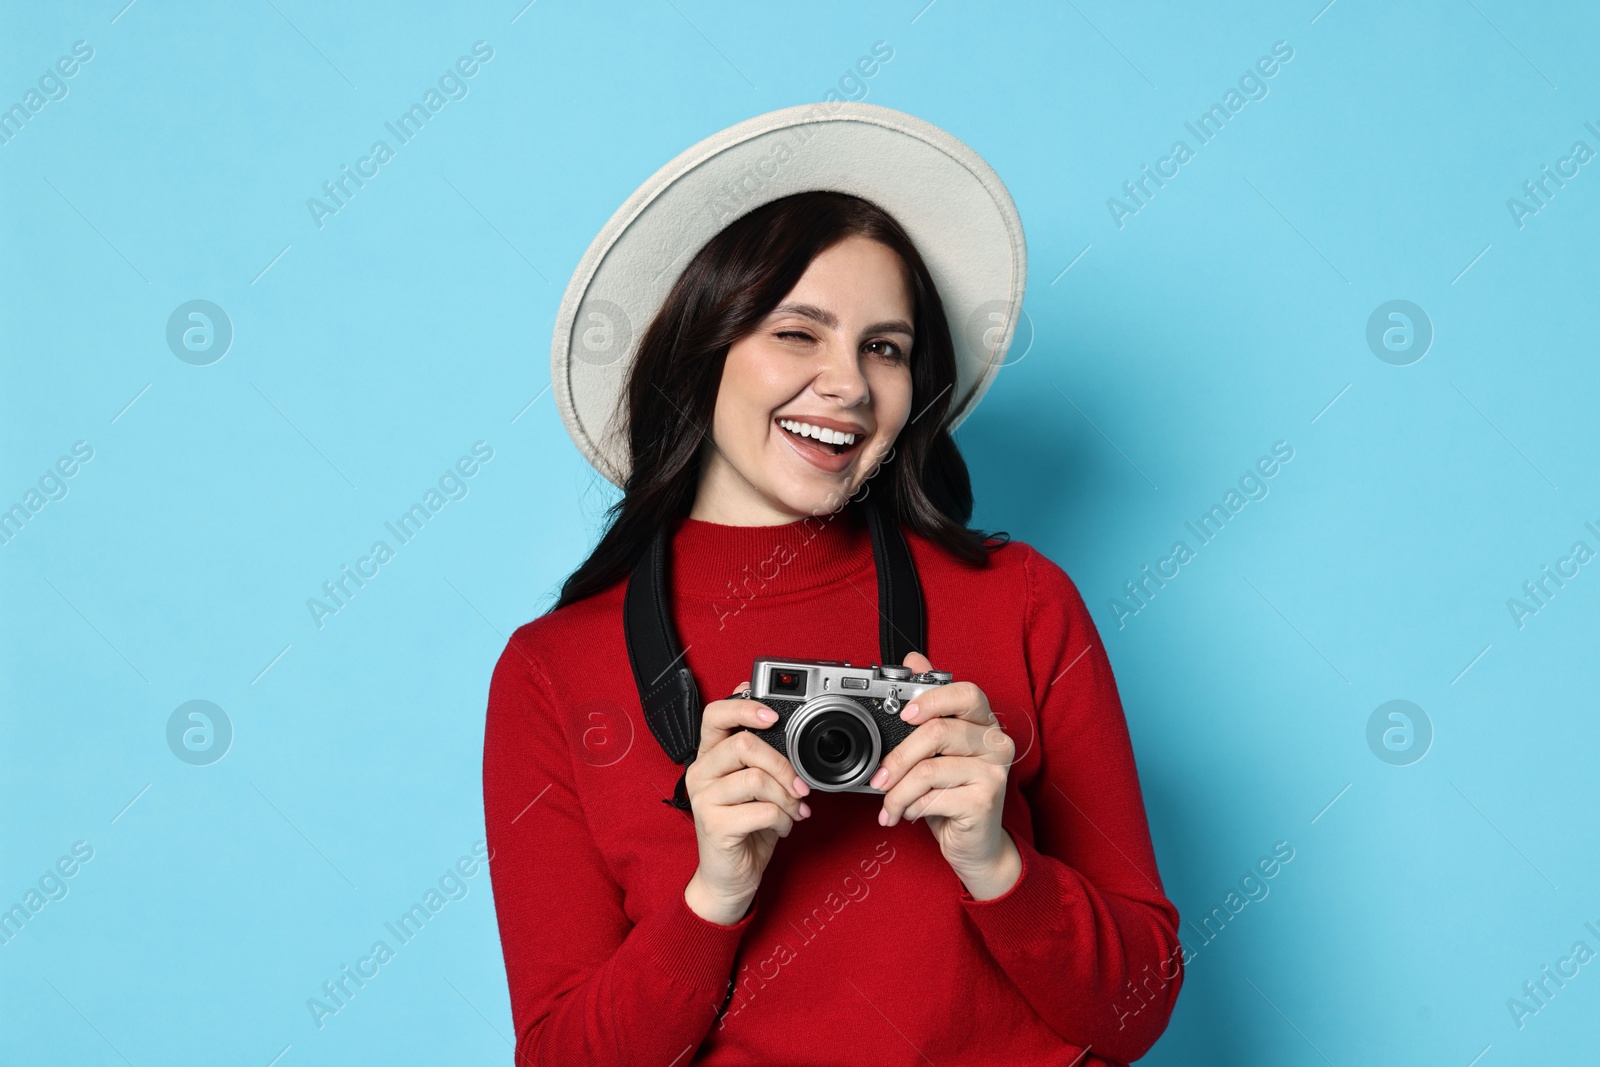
column 1087, row 933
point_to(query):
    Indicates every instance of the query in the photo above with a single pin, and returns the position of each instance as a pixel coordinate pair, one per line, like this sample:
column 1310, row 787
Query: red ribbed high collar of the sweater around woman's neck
column 714, row 562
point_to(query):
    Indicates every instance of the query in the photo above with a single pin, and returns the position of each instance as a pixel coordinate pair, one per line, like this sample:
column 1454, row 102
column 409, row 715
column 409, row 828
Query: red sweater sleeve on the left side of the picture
column 588, row 986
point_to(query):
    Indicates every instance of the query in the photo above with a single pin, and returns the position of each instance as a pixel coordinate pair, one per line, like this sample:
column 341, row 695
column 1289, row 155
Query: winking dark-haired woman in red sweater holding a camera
column 799, row 372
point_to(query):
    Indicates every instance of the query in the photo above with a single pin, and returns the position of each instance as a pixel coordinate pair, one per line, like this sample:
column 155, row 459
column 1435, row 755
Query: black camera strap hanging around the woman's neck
column 666, row 687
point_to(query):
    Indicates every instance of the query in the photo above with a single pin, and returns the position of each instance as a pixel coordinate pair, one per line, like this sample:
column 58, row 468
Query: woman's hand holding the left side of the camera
column 745, row 796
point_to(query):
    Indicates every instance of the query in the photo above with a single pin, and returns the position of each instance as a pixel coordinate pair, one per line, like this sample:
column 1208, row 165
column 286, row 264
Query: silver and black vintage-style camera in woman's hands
column 838, row 722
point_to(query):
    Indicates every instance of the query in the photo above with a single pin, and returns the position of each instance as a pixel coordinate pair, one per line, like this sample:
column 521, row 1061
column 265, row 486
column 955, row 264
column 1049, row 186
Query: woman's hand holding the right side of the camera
column 953, row 770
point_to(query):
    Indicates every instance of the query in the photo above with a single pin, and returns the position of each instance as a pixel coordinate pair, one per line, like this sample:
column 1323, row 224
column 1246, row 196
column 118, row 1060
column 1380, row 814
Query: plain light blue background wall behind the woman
column 370, row 354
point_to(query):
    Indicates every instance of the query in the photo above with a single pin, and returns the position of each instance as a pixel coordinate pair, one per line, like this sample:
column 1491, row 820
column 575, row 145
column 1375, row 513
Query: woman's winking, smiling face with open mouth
column 831, row 361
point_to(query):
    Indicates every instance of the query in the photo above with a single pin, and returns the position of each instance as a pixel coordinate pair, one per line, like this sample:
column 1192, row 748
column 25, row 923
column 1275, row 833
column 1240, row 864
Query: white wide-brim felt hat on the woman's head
column 945, row 196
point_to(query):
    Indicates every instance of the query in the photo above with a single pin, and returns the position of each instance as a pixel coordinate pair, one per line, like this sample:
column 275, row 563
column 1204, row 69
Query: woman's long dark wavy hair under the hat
column 722, row 297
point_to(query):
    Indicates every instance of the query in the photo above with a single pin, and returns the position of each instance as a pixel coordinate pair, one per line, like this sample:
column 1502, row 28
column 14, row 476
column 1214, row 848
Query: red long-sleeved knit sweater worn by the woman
column 862, row 945
